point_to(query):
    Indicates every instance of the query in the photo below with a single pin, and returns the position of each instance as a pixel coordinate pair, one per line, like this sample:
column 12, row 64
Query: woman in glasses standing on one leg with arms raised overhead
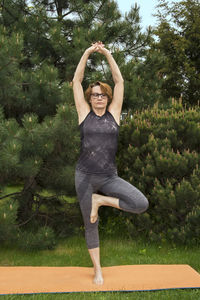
column 99, row 119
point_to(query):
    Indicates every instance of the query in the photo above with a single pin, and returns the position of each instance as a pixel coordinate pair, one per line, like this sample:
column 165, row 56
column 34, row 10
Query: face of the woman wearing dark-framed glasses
column 98, row 99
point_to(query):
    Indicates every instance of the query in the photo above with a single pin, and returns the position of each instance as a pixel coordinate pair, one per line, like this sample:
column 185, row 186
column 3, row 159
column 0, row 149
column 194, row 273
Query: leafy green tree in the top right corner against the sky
column 178, row 34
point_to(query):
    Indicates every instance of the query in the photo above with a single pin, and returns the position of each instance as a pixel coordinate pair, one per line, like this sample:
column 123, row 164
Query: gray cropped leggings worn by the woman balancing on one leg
column 130, row 199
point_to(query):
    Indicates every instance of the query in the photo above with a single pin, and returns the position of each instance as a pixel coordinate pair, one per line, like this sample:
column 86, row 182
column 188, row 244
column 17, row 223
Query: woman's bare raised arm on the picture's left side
column 82, row 106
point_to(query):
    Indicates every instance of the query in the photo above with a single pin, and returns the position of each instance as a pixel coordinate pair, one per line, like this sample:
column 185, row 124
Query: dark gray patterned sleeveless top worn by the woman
column 99, row 139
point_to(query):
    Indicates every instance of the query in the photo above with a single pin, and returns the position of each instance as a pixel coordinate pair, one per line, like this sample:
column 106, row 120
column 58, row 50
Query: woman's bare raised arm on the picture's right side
column 118, row 94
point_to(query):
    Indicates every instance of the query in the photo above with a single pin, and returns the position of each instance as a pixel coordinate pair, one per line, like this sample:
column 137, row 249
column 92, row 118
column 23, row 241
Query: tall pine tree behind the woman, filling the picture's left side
column 42, row 45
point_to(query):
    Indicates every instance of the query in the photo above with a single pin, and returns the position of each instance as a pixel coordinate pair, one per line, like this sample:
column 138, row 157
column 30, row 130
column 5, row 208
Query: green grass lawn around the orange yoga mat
column 114, row 251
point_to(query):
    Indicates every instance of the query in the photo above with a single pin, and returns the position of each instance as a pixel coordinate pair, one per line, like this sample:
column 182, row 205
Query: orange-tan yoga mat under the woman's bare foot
column 28, row 280
